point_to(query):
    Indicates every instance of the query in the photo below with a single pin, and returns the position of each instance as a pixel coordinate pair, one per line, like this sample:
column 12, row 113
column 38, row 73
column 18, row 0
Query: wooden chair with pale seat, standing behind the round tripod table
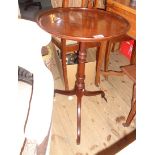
column 70, row 46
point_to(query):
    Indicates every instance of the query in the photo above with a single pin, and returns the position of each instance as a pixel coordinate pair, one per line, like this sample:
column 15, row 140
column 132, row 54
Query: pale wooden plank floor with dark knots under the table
column 101, row 122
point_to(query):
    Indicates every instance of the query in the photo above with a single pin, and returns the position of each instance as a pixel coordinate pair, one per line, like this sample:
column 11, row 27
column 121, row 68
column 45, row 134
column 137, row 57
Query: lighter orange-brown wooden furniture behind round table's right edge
column 124, row 8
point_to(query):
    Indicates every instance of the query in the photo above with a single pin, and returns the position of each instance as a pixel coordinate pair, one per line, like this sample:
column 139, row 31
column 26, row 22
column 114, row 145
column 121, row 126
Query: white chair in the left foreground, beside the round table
column 35, row 98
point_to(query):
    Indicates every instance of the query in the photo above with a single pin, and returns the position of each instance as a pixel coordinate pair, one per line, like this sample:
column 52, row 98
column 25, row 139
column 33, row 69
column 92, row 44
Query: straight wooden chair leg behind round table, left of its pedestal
column 64, row 66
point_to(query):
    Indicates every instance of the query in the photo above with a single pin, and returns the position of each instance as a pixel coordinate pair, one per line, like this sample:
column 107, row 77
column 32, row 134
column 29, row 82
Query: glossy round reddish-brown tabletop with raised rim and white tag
column 82, row 24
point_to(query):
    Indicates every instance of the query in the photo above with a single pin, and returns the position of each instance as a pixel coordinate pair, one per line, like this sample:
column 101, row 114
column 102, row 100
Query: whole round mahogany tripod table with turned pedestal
column 82, row 25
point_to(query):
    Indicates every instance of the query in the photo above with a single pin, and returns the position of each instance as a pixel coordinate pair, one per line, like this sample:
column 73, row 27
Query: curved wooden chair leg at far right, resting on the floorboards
column 133, row 108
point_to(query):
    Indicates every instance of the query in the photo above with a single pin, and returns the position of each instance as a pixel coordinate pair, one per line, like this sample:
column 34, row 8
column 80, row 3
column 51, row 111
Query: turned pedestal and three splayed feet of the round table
column 79, row 89
